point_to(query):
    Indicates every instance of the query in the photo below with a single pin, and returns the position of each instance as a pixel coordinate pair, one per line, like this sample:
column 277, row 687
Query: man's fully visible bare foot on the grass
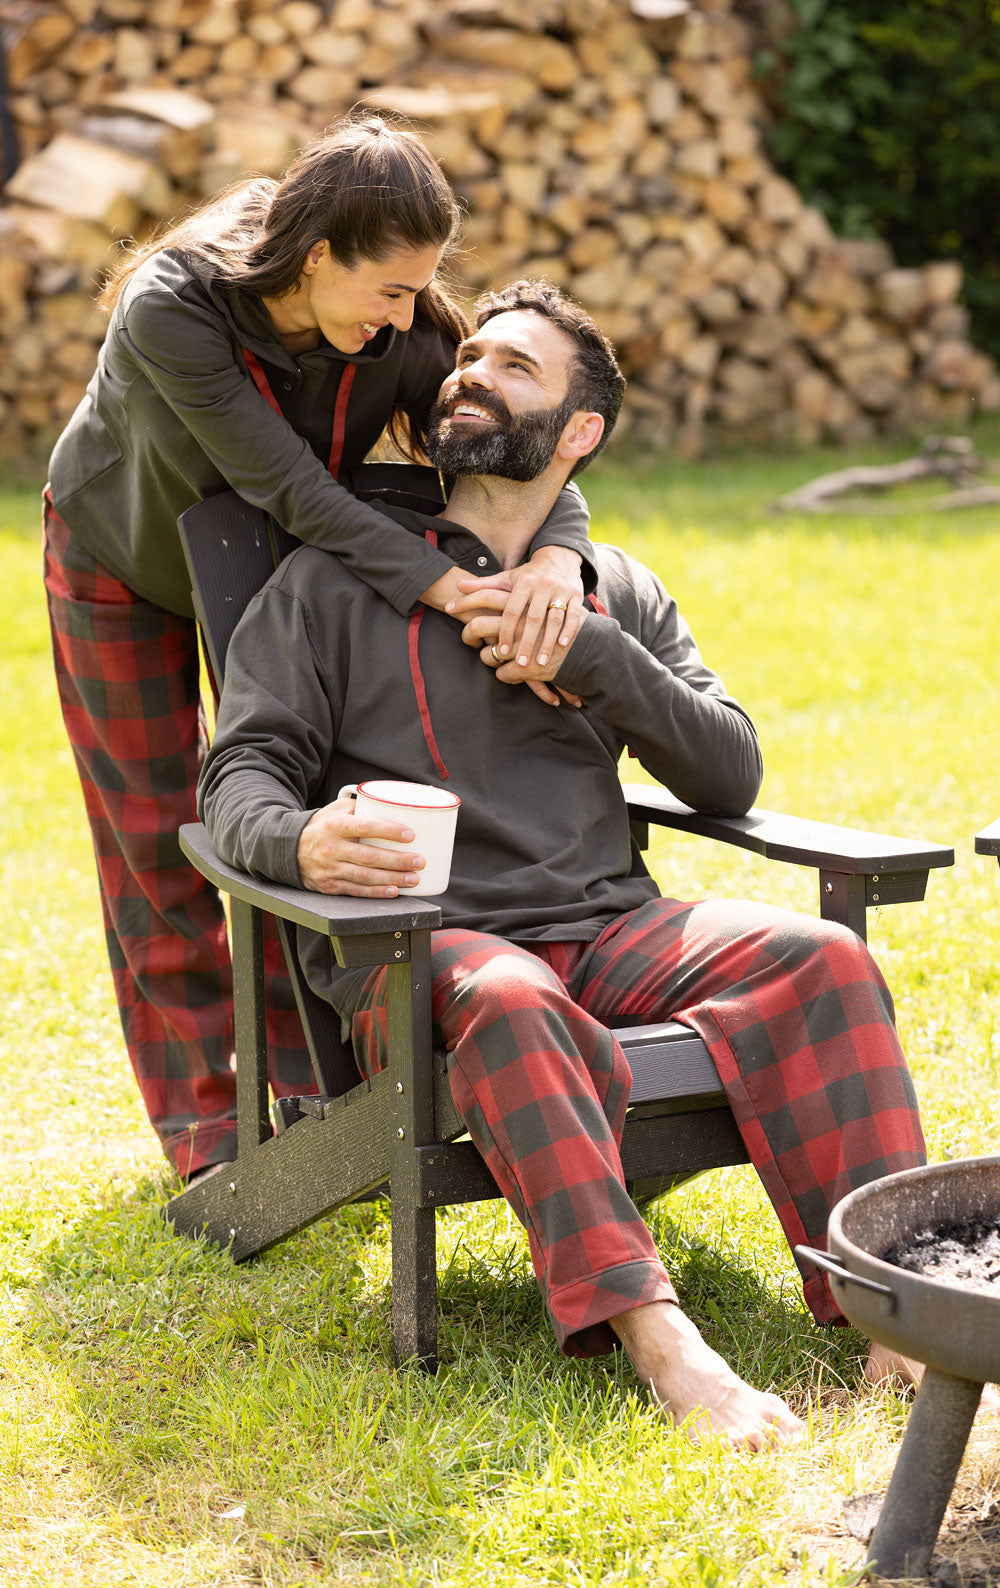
column 693, row 1386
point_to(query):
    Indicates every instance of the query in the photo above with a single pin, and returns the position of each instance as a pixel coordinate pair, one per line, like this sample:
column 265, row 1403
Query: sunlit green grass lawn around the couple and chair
column 171, row 1420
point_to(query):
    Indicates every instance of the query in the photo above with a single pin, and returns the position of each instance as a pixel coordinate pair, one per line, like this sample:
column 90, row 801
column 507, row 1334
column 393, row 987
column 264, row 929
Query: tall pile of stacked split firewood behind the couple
column 610, row 145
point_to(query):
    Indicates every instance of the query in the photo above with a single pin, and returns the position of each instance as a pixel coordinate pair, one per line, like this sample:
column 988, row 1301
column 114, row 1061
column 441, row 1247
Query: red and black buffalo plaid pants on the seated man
column 799, row 1023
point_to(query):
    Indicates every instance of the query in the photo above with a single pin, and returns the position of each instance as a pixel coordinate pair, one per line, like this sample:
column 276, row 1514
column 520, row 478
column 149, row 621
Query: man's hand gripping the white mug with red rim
column 336, row 855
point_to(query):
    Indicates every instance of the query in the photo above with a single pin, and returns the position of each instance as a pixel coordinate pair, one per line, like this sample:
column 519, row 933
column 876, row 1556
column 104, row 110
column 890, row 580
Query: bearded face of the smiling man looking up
column 506, row 407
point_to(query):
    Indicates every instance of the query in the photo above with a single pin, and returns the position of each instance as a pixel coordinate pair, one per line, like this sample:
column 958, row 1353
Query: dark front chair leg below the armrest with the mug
column 415, row 1282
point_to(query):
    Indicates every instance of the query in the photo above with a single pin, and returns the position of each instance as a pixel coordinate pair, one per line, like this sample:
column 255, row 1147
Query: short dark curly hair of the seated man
column 598, row 385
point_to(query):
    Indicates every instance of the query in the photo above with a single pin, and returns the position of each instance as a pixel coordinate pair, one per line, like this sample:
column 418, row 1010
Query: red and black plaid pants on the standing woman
column 128, row 679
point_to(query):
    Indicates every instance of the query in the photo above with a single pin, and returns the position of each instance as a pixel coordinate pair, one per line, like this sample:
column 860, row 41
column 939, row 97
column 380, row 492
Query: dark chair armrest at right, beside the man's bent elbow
column 793, row 839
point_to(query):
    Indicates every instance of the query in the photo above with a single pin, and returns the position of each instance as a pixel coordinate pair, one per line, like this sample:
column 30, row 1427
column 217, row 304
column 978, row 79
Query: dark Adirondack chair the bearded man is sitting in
column 401, row 1130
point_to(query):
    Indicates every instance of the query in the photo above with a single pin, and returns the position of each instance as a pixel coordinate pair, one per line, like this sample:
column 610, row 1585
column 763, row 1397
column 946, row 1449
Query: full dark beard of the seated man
column 515, row 449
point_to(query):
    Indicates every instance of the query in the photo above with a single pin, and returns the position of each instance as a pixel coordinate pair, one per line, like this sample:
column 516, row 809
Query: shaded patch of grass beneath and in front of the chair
column 187, row 1384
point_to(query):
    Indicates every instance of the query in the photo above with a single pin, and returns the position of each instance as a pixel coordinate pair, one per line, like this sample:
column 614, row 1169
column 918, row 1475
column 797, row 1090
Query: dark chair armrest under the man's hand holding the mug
column 336, row 917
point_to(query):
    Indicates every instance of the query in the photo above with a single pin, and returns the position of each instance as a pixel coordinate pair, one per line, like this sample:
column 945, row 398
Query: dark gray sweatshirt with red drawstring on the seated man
column 325, row 685
